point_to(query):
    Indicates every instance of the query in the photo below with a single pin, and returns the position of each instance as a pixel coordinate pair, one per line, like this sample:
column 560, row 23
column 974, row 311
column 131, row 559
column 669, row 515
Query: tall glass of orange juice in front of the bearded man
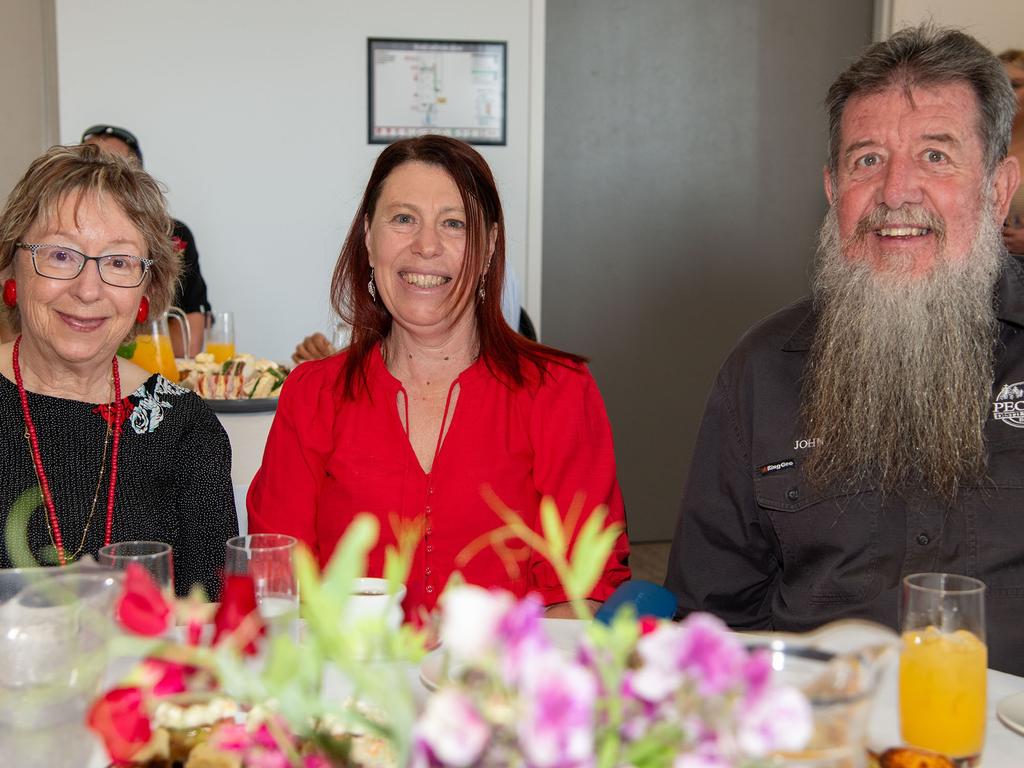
column 943, row 679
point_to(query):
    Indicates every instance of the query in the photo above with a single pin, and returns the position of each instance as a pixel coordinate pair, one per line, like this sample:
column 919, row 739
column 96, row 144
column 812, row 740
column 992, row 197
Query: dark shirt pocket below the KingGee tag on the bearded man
column 830, row 541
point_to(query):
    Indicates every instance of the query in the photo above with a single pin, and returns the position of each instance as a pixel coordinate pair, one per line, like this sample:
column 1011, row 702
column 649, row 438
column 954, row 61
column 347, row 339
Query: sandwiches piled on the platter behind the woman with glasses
column 242, row 377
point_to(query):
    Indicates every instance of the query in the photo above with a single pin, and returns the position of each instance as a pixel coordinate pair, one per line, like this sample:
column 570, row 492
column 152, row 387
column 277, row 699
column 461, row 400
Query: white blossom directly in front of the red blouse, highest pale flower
column 472, row 621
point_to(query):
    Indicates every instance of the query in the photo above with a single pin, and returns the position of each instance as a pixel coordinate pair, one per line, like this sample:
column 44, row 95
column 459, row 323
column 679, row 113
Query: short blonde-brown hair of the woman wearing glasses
column 66, row 172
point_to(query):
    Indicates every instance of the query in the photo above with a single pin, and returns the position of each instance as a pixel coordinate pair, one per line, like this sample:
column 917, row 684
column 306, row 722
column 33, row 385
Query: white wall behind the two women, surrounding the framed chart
column 253, row 115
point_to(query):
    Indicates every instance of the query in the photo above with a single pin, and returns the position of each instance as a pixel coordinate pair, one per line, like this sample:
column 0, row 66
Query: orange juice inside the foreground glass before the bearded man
column 943, row 692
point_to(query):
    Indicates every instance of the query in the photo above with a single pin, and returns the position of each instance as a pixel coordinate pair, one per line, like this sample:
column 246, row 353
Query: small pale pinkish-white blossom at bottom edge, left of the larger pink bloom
column 452, row 730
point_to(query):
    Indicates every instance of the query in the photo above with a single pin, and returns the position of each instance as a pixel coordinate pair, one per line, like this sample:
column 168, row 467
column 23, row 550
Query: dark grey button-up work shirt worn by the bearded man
column 757, row 547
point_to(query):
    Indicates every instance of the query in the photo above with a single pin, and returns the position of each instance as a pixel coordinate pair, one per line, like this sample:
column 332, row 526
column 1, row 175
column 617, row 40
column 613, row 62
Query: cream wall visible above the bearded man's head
column 998, row 24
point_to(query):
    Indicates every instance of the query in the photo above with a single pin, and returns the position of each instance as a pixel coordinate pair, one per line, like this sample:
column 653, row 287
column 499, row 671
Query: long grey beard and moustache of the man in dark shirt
column 901, row 370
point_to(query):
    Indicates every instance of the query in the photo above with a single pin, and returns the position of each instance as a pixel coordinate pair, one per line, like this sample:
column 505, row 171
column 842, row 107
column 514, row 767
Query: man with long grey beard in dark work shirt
column 877, row 429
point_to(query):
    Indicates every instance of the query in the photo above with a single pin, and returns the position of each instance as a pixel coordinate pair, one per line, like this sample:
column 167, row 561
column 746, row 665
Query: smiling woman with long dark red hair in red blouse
column 437, row 398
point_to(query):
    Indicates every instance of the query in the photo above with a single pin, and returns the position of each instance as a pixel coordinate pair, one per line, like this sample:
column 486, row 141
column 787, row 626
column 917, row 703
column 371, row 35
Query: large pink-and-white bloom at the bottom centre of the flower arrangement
column 558, row 728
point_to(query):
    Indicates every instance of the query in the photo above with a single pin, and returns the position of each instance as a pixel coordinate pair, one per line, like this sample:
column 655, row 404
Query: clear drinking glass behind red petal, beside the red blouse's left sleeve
column 268, row 559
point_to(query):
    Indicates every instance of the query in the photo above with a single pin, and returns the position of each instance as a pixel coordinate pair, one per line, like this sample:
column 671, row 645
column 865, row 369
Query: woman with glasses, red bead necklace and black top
column 97, row 450
